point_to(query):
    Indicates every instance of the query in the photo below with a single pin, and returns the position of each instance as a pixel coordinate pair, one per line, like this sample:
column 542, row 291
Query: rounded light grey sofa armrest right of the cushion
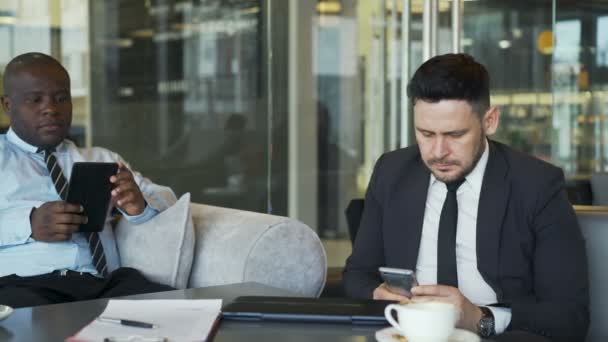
column 235, row 246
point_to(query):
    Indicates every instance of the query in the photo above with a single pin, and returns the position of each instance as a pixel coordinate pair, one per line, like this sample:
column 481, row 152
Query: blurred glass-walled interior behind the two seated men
column 283, row 106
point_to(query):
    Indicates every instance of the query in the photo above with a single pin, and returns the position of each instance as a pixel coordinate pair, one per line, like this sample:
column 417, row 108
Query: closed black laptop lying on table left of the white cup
column 335, row 310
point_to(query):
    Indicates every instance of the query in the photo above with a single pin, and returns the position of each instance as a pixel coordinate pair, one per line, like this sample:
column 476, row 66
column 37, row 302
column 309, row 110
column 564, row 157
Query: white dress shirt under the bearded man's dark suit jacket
column 470, row 282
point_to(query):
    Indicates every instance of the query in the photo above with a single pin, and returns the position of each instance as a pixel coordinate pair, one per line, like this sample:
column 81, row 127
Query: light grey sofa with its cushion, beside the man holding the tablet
column 197, row 245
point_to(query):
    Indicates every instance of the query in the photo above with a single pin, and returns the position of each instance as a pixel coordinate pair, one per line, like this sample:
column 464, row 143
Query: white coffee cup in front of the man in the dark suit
column 424, row 321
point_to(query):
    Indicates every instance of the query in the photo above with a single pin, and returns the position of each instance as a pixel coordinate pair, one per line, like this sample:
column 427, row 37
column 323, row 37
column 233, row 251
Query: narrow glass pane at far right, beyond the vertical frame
column 580, row 81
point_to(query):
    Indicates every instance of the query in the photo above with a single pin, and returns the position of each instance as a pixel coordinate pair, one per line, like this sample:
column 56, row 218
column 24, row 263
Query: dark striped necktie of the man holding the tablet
column 99, row 258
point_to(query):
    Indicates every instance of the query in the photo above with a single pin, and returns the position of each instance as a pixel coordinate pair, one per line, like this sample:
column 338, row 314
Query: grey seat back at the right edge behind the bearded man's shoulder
column 594, row 226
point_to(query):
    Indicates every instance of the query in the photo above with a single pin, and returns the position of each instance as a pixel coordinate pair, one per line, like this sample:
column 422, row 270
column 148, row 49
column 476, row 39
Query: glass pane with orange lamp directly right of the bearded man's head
column 511, row 41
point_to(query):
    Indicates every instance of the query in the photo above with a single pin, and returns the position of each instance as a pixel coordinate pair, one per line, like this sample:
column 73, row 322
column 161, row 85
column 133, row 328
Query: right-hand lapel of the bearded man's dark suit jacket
column 493, row 201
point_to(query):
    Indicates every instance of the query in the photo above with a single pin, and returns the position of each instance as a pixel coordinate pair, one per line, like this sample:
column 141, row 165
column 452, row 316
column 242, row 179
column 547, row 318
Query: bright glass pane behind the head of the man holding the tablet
column 59, row 28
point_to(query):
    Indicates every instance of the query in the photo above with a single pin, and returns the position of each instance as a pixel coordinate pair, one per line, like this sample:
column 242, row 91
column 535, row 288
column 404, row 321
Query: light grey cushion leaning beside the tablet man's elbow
column 162, row 247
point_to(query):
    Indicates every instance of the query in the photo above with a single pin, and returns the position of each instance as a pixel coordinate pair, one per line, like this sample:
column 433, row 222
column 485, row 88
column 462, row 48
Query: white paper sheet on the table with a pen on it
column 177, row 320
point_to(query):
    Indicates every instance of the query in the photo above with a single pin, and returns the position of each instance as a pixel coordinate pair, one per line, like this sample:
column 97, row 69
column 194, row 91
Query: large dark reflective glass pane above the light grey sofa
column 179, row 89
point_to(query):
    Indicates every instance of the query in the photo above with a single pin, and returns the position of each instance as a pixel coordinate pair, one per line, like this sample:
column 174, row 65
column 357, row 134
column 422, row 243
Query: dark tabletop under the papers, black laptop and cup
column 59, row 321
